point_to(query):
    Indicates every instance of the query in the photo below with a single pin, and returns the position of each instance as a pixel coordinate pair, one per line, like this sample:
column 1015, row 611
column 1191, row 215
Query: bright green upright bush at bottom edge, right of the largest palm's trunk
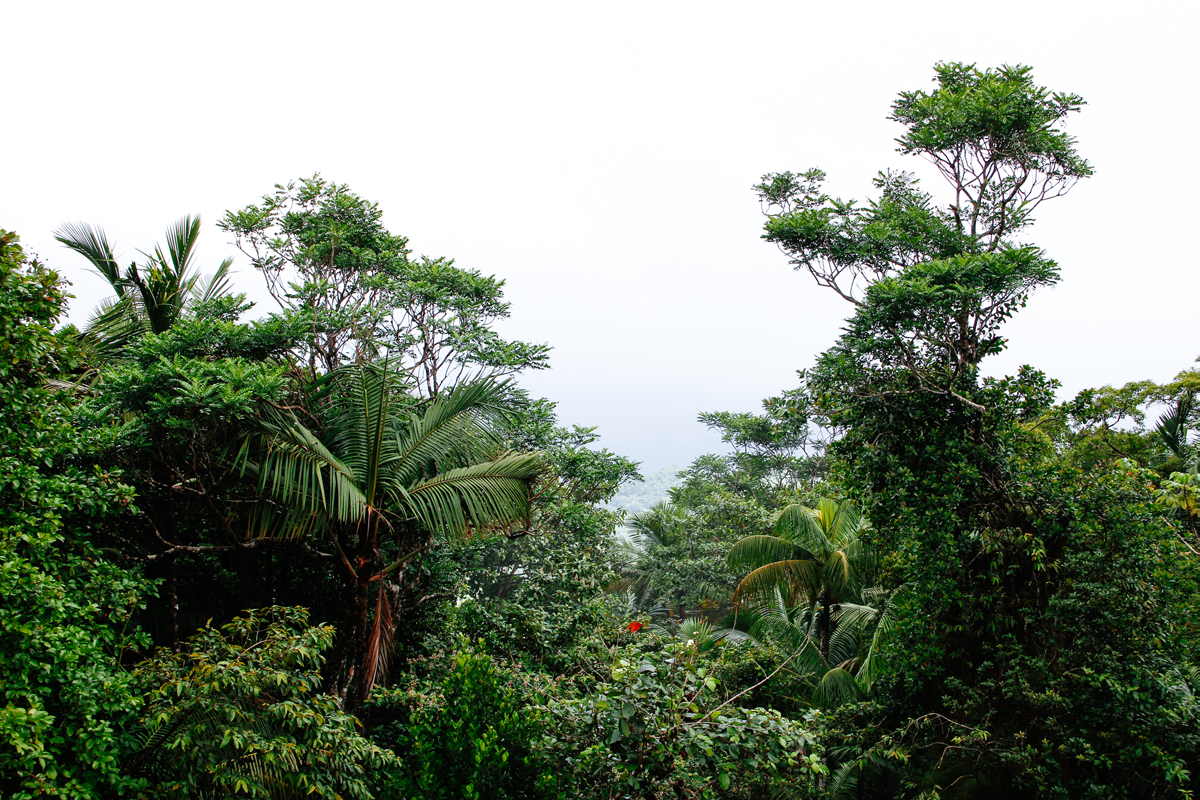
column 470, row 737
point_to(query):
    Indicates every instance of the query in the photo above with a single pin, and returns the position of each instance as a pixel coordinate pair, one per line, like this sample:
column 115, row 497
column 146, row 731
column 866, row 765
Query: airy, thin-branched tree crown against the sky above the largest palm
column 332, row 264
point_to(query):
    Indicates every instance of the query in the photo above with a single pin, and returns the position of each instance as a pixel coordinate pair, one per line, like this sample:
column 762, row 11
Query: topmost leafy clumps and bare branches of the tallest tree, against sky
column 994, row 135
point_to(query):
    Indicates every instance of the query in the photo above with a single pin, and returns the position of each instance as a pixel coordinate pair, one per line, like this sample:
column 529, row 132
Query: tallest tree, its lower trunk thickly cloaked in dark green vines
column 1030, row 621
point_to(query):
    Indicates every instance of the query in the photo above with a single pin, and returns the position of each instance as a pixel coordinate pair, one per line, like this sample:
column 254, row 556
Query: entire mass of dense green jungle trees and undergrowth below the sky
column 335, row 550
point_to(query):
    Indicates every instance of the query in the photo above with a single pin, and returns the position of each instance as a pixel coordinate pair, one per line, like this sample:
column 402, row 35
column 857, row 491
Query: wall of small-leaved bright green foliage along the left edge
column 64, row 699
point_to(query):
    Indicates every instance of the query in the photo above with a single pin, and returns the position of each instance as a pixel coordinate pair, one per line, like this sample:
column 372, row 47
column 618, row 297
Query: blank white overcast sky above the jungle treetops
column 599, row 158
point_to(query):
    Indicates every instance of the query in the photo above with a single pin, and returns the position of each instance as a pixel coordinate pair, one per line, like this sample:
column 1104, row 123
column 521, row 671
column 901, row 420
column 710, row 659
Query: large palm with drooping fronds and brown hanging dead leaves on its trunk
column 382, row 483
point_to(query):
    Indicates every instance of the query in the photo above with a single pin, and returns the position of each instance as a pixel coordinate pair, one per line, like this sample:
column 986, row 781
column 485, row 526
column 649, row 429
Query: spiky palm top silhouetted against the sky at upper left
column 149, row 299
